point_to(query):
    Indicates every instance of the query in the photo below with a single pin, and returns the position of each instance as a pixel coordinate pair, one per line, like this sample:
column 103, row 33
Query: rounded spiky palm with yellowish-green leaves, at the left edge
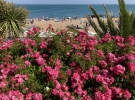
column 12, row 19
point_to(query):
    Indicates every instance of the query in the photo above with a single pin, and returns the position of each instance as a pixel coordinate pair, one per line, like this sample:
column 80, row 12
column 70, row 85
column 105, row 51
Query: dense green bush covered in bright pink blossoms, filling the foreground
column 67, row 67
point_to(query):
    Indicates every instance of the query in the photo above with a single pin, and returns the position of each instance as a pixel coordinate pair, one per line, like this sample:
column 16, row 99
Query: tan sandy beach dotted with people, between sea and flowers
column 81, row 22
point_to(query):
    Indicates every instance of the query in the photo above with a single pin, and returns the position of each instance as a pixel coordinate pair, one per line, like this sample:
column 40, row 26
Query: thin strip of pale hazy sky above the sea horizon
column 70, row 1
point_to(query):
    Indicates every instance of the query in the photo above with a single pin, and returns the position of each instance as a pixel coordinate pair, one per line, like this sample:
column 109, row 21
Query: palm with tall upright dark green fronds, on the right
column 126, row 25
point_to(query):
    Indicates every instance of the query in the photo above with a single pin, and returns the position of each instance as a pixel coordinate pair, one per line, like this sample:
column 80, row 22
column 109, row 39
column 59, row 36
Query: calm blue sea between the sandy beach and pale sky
column 66, row 10
